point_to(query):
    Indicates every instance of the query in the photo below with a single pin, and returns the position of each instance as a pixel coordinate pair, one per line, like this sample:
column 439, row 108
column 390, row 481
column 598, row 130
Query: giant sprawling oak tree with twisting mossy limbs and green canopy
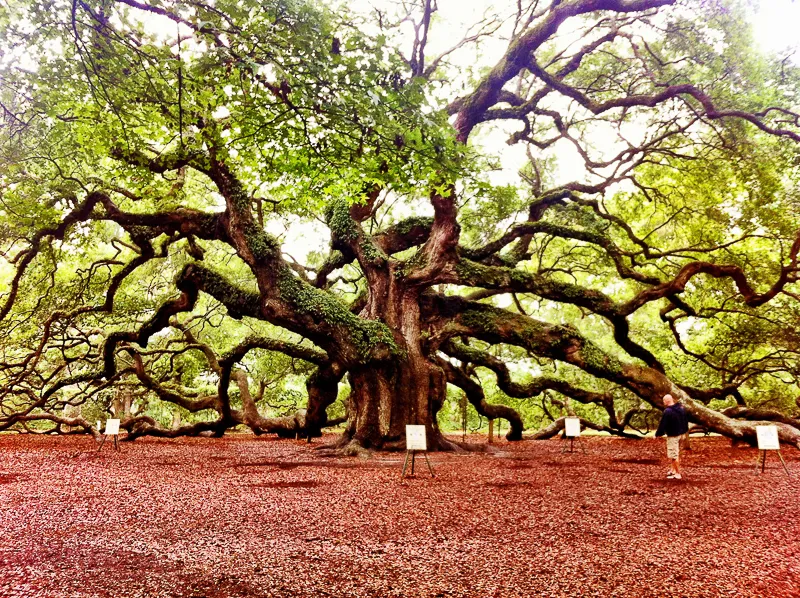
column 144, row 176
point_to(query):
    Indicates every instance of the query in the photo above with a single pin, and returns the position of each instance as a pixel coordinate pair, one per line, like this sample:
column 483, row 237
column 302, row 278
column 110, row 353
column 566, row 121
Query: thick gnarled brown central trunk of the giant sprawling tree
column 406, row 386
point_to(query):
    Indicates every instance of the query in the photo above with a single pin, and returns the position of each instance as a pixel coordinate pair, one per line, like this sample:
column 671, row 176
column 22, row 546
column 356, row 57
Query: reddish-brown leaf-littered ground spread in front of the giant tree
column 245, row 517
